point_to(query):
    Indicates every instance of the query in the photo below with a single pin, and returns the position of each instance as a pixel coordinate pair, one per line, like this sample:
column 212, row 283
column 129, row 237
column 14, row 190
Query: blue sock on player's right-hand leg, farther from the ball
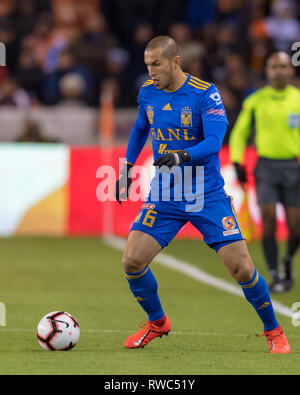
column 257, row 293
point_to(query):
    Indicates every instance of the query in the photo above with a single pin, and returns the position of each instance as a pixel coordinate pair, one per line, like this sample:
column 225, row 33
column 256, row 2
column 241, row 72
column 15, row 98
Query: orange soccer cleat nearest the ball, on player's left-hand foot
column 147, row 333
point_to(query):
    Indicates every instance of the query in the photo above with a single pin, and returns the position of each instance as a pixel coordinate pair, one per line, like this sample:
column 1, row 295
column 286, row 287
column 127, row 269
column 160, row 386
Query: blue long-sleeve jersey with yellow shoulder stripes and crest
column 192, row 118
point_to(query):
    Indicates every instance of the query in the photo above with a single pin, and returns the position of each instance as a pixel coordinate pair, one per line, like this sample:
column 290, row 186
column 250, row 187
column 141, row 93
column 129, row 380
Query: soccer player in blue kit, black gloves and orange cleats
column 187, row 120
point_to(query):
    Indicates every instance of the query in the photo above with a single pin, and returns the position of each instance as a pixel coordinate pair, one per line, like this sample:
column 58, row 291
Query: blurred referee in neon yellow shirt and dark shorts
column 275, row 110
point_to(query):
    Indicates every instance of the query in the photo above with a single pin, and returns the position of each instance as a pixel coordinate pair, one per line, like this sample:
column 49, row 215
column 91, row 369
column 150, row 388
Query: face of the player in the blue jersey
column 160, row 69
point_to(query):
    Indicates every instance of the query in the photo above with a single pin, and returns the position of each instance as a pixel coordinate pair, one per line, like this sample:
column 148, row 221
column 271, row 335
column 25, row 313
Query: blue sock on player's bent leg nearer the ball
column 143, row 285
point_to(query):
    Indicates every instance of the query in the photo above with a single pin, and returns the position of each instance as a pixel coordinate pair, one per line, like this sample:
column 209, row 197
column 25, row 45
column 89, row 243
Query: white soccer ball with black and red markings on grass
column 58, row 331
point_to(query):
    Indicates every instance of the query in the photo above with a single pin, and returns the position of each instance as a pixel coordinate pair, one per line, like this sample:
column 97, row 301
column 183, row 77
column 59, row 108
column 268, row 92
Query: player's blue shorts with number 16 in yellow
column 216, row 221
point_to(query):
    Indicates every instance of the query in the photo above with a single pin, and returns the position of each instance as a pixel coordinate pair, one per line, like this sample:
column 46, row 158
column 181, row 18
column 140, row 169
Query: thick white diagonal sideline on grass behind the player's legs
column 198, row 274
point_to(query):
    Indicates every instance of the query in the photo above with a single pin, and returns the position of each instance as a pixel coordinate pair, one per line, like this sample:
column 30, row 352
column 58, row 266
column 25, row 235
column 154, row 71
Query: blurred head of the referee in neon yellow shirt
column 279, row 70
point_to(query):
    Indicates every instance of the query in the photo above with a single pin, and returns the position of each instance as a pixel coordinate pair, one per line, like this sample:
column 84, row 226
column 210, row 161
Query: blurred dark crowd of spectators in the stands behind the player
column 66, row 51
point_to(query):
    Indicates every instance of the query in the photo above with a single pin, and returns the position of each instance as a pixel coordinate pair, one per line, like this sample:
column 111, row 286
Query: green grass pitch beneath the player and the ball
column 213, row 332
